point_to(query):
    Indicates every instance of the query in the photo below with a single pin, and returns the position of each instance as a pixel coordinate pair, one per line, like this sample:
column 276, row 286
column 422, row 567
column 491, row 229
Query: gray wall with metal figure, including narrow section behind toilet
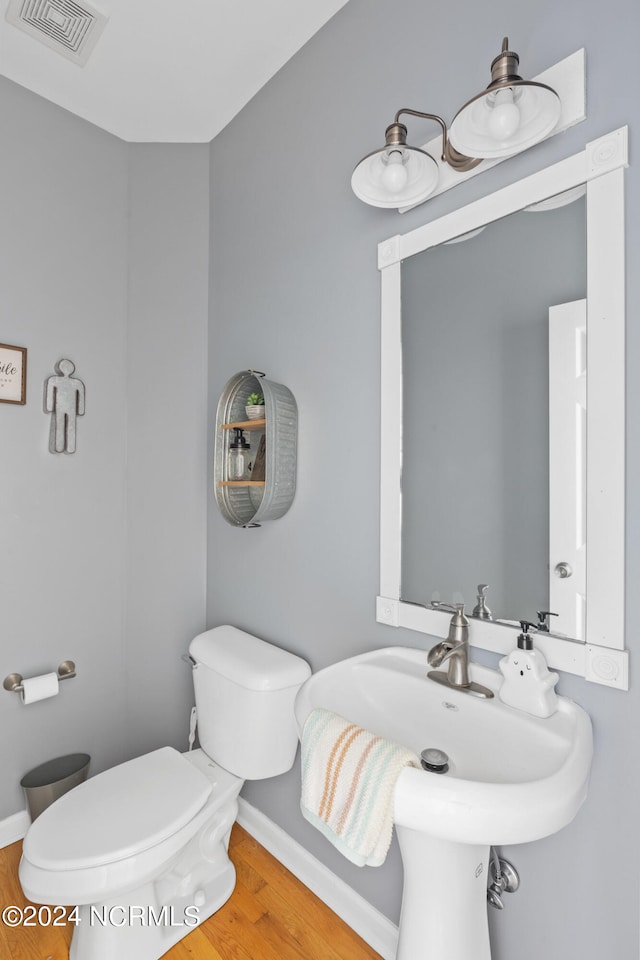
column 103, row 259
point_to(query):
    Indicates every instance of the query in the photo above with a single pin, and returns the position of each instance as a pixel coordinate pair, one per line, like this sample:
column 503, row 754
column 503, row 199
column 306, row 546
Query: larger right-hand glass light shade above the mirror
column 471, row 131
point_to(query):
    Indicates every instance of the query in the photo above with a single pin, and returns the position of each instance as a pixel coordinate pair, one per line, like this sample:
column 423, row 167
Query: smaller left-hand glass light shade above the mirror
column 395, row 178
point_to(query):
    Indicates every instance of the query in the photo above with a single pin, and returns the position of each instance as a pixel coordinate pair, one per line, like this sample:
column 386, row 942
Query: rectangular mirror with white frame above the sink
column 587, row 452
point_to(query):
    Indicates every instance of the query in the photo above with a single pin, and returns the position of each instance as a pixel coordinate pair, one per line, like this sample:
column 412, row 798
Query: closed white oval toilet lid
column 119, row 813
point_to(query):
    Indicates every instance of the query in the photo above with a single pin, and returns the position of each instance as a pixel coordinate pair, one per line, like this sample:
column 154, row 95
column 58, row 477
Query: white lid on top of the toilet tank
column 250, row 662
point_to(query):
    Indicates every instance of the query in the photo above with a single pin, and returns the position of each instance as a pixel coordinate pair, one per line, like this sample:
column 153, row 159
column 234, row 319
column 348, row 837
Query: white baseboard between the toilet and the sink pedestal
column 374, row 928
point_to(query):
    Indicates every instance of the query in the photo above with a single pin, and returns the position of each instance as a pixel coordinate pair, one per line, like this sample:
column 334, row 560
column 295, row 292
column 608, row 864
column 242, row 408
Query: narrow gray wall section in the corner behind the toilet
column 166, row 436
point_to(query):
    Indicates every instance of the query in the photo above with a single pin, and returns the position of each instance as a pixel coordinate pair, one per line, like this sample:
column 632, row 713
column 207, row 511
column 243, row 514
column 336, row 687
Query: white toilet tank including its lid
column 245, row 688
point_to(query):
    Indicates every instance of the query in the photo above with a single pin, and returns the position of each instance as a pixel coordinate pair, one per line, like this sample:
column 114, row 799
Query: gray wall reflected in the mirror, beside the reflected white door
column 475, row 346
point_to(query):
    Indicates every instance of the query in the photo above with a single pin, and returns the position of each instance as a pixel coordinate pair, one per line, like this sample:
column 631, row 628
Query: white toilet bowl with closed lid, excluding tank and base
column 49, row 869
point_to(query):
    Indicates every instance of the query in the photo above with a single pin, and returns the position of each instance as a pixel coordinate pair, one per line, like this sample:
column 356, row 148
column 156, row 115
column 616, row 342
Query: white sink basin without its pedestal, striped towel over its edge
column 512, row 777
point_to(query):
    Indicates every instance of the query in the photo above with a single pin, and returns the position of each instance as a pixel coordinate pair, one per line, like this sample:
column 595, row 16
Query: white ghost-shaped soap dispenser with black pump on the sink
column 528, row 683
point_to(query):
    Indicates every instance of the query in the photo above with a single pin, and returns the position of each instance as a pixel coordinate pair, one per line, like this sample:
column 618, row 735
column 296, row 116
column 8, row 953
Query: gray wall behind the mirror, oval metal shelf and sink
column 295, row 292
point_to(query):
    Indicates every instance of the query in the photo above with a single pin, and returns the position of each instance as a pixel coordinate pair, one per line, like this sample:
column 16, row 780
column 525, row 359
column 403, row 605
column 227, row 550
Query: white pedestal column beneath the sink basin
column 444, row 899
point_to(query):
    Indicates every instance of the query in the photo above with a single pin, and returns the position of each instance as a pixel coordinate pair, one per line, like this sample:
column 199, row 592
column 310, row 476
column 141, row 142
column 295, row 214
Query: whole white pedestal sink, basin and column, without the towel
column 512, row 778
